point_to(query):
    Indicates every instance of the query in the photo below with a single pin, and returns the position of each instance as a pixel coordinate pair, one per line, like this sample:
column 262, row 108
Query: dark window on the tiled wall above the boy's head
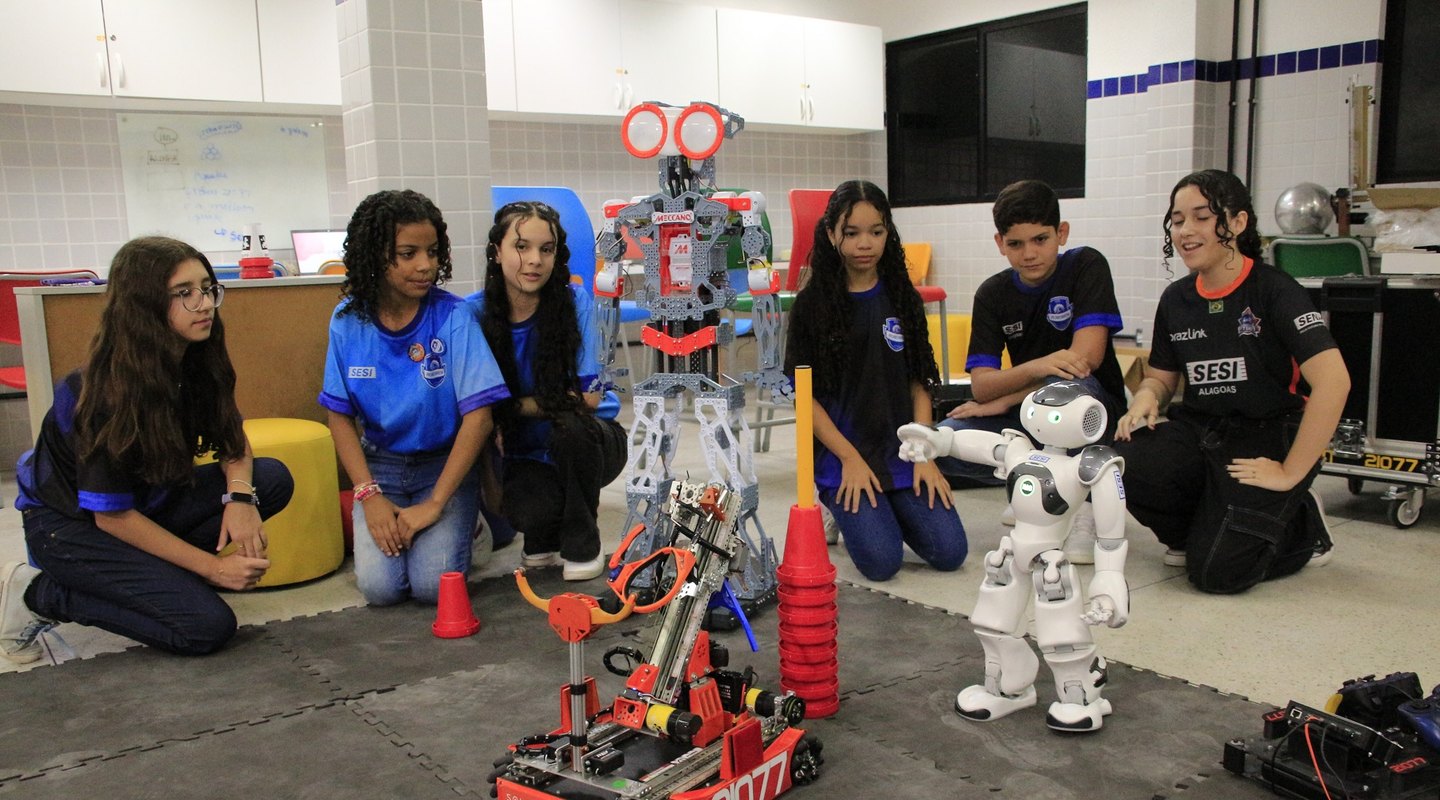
column 971, row 110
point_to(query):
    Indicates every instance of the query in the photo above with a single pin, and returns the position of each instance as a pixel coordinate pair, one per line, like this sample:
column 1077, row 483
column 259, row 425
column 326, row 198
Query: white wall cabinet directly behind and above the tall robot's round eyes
column 598, row 58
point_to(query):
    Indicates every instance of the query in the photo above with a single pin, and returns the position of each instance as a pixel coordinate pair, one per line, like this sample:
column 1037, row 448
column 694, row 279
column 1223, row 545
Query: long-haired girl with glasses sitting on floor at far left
column 129, row 533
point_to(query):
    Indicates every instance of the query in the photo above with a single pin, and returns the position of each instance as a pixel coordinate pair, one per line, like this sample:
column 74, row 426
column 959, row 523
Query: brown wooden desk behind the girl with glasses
column 277, row 332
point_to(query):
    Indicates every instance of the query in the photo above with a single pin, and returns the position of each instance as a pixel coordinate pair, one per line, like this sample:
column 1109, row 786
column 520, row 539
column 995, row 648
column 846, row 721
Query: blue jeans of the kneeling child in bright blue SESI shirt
column 444, row 547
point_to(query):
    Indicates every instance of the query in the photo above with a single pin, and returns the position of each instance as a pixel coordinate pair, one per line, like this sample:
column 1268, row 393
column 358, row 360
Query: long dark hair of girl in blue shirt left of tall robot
column 557, row 381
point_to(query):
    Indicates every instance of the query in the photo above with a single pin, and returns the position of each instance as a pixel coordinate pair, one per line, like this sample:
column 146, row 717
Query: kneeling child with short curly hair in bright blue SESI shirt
column 408, row 388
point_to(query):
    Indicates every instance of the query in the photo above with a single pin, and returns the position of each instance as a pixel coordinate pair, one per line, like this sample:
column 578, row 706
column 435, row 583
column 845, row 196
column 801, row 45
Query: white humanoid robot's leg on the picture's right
column 1068, row 647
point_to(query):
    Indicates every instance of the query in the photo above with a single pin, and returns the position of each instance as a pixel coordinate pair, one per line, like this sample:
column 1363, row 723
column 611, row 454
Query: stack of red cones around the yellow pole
column 810, row 664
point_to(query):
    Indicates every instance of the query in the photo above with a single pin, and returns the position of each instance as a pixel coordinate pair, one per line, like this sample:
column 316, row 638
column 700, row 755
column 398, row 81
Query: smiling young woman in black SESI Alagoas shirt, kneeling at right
column 1226, row 483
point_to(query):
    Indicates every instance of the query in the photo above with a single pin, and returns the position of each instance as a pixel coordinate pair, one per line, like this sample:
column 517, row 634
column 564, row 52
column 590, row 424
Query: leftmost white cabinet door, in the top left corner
column 55, row 48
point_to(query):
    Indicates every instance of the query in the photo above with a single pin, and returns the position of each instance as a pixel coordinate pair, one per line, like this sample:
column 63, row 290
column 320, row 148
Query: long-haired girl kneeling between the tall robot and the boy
column 860, row 326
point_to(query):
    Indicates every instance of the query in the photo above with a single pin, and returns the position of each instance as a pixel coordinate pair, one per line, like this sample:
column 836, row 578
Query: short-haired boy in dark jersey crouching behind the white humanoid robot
column 1055, row 313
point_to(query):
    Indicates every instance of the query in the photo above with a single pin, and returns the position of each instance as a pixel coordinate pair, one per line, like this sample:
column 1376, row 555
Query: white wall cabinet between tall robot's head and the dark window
column 800, row 71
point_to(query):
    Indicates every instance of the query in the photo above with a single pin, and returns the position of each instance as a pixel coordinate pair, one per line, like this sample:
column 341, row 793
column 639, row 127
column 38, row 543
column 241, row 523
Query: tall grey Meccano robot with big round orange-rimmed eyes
column 685, row 232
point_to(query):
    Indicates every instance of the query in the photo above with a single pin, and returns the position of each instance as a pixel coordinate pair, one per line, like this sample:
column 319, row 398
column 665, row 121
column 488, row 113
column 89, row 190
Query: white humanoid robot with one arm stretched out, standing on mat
column 1046, row 490
